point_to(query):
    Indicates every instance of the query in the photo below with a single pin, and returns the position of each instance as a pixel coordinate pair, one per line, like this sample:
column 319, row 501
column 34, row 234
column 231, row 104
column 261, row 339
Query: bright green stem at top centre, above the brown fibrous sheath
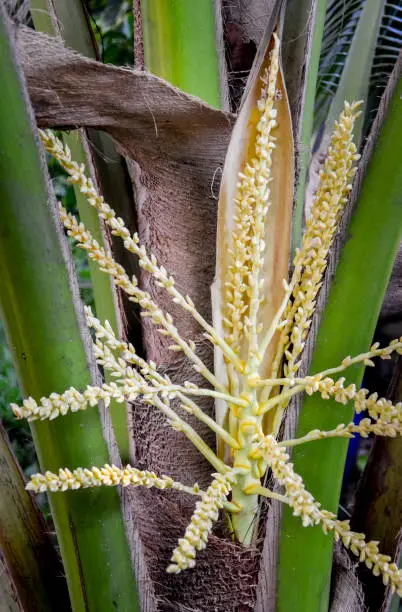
column 179, row 45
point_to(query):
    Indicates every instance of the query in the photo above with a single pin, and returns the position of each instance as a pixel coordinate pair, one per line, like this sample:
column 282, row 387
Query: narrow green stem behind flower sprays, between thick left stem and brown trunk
column 68, row 19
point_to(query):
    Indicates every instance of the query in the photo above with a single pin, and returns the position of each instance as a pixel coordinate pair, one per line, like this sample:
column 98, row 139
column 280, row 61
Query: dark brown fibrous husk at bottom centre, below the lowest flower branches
column 223, row 578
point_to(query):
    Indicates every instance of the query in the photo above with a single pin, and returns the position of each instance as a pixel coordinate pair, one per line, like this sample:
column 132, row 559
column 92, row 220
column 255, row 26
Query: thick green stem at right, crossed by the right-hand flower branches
column 347, row 327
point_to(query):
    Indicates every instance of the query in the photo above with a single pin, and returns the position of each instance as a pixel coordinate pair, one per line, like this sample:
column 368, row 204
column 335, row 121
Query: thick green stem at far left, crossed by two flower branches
column 41, row 321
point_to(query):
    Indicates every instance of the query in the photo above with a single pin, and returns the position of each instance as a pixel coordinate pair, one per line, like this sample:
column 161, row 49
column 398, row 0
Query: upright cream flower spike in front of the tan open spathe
column 243, row 287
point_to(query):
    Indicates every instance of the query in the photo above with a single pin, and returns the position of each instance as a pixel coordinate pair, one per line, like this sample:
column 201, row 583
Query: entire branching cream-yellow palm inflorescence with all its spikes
column 248, row 397
